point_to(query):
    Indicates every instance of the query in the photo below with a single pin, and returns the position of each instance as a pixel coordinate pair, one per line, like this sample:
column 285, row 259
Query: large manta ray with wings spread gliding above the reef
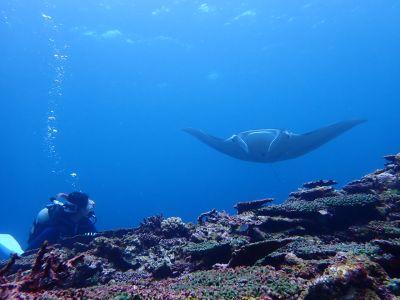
column 272, row 145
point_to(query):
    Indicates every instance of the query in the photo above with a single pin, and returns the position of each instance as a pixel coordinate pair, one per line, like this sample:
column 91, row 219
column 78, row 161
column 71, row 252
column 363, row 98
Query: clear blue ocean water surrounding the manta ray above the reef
column 94, row 95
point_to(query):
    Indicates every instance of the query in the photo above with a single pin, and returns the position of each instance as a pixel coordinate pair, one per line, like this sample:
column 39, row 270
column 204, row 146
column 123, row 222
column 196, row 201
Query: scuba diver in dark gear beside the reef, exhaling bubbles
column 69, row 215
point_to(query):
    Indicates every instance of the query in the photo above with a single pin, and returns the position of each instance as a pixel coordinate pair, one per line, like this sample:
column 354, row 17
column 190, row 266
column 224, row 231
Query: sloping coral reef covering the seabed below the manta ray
column 321, row 243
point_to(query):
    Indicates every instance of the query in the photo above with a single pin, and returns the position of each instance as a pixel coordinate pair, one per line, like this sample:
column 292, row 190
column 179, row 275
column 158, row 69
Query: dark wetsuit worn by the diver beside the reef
column 58, row 226
